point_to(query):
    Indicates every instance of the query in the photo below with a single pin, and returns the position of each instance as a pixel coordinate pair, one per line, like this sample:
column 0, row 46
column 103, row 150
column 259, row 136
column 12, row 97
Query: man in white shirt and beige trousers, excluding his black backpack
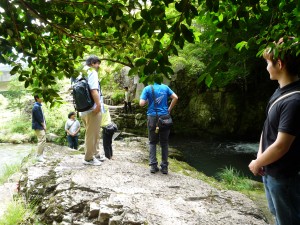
column 92, row 117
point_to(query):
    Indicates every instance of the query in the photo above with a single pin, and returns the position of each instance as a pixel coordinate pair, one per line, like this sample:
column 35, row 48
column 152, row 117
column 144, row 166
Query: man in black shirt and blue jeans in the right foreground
column 279, row 149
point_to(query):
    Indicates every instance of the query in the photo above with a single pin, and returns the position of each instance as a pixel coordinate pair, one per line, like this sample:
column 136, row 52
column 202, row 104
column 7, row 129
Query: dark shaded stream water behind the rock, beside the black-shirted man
column 211, row 156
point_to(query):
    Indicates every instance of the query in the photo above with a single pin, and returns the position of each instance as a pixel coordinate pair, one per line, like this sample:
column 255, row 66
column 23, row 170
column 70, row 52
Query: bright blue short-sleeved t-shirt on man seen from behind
column 161, row 92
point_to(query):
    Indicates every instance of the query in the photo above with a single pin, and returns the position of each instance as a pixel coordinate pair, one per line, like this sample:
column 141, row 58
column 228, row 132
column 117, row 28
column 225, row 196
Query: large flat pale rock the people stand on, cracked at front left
column 123, row 191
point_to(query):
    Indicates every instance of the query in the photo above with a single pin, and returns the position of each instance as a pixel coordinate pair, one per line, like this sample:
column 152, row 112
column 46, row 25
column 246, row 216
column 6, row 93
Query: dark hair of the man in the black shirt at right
column 286, row 58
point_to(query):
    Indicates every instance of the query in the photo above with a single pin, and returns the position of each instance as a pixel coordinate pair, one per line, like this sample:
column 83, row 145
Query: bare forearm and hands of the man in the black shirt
column 273, row 153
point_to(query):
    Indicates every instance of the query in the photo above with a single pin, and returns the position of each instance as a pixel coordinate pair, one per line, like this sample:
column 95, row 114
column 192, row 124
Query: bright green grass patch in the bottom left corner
column 16, row 212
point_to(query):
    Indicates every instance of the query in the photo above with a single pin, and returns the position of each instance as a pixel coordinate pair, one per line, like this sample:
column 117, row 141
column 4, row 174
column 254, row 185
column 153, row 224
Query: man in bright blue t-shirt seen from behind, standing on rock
column 158, row 106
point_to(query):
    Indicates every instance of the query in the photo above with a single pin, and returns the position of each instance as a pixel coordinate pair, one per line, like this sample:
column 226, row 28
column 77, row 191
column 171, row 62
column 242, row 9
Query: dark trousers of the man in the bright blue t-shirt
column 162, row 137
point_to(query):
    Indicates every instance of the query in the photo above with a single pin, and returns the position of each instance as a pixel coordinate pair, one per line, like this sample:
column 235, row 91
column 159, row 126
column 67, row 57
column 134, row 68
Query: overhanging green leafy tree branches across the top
column 52, row 36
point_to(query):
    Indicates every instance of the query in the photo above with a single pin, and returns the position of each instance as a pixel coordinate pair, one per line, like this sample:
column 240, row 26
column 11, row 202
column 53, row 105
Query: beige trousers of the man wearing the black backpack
column 92, row 123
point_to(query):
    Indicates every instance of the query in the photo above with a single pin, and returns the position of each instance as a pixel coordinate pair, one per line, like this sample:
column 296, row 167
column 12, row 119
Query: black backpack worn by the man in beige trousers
column 82, row 97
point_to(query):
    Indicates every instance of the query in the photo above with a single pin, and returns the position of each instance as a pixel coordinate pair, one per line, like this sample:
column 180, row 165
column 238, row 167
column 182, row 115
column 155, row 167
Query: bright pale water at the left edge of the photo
column 13, row 154
